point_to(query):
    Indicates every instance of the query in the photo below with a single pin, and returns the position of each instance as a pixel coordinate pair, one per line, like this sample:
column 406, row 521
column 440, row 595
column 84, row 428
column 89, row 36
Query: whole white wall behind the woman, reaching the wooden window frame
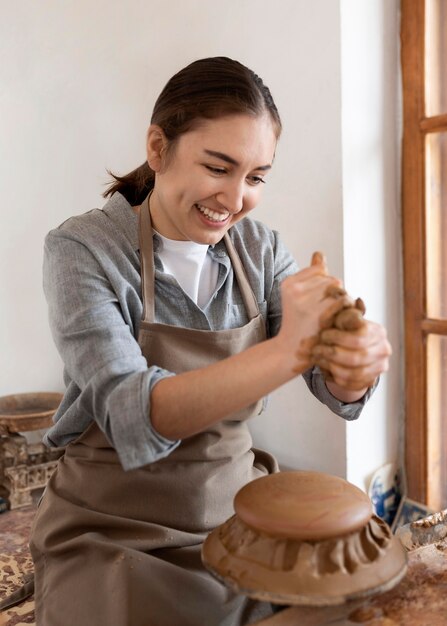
column 76, row 93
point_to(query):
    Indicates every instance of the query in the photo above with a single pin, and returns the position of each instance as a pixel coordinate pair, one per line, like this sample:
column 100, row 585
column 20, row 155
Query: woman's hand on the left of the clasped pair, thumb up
column 307, row 309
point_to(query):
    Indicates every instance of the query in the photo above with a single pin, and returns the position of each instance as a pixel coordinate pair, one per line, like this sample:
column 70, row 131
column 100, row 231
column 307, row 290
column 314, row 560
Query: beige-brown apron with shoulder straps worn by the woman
column 115, row 548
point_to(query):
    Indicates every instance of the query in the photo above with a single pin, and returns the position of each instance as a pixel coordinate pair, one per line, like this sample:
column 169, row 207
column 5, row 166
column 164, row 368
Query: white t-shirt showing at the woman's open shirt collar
column 191, row 265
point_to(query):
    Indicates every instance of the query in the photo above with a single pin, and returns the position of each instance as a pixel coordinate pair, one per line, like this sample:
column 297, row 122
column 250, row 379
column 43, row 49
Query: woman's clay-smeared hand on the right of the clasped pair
column 354, row 358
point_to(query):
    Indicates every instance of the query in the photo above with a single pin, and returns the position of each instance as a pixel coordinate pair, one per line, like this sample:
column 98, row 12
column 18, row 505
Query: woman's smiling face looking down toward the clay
column 213, row 178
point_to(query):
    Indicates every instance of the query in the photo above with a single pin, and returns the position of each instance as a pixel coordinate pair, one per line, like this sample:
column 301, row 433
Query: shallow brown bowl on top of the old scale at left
column 28, row 411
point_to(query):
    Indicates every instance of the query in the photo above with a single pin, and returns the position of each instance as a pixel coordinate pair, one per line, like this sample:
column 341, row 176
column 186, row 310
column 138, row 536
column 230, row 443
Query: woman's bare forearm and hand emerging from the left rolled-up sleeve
column 187, row 403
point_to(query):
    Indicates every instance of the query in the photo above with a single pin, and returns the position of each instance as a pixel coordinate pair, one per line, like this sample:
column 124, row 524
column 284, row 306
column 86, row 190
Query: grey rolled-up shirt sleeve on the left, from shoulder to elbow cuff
column 91, row 287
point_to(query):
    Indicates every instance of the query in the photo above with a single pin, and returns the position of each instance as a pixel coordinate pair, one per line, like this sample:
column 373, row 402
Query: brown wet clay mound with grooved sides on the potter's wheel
column 304, row 538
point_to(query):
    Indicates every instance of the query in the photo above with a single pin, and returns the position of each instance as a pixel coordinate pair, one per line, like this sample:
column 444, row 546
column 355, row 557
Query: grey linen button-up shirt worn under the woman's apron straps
column 93, row 287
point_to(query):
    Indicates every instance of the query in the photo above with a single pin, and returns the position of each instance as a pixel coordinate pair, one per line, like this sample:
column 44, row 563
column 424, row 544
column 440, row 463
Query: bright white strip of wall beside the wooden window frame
column 371, row 210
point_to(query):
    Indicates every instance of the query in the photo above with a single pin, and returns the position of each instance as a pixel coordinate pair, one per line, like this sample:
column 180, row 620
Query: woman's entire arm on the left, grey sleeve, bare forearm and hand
column 89, row 283
